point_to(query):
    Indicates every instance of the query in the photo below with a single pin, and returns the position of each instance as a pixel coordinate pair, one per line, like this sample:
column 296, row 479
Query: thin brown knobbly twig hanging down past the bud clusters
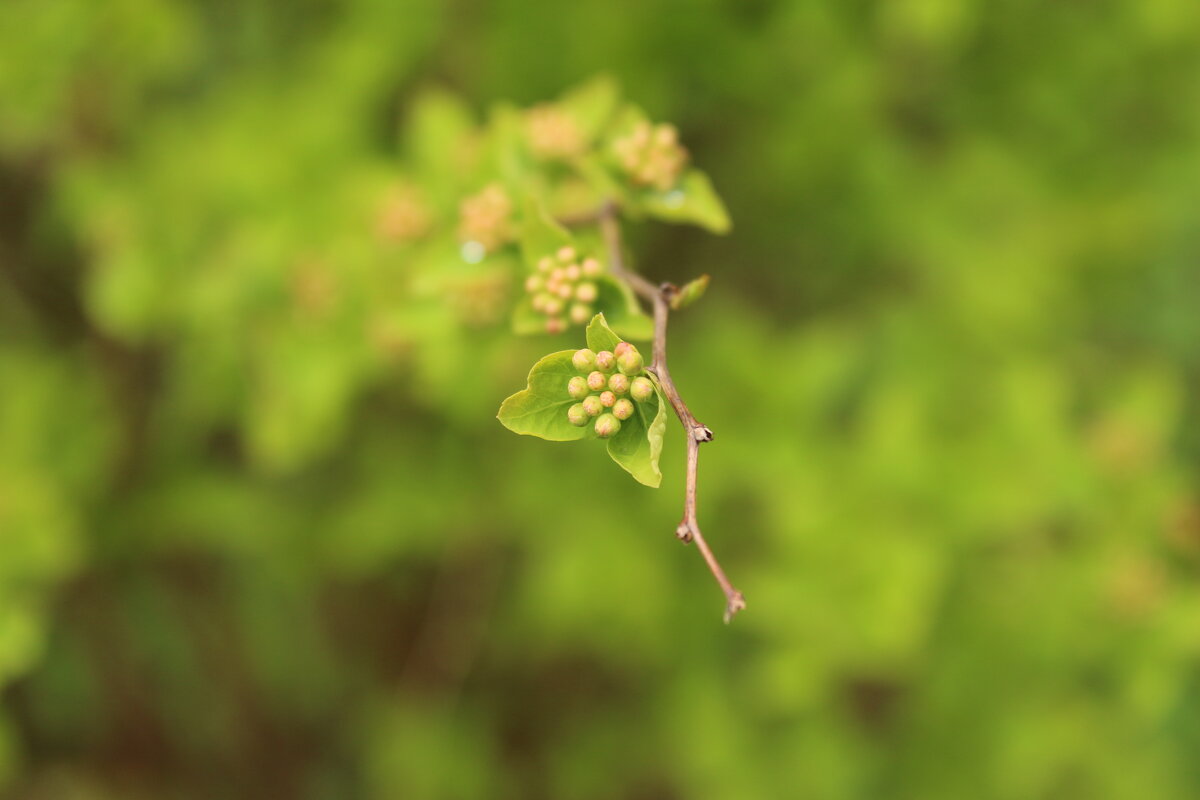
column 698, row 434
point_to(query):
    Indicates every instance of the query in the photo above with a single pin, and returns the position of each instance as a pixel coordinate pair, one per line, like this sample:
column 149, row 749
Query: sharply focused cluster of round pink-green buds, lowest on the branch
column 607, row 388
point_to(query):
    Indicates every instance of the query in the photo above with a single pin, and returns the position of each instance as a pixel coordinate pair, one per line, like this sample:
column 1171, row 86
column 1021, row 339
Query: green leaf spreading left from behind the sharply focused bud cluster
column 541, row 410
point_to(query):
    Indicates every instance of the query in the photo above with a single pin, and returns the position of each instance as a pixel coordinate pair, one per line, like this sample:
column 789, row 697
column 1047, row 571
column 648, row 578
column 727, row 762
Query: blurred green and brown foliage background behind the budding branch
column 250, row 550
